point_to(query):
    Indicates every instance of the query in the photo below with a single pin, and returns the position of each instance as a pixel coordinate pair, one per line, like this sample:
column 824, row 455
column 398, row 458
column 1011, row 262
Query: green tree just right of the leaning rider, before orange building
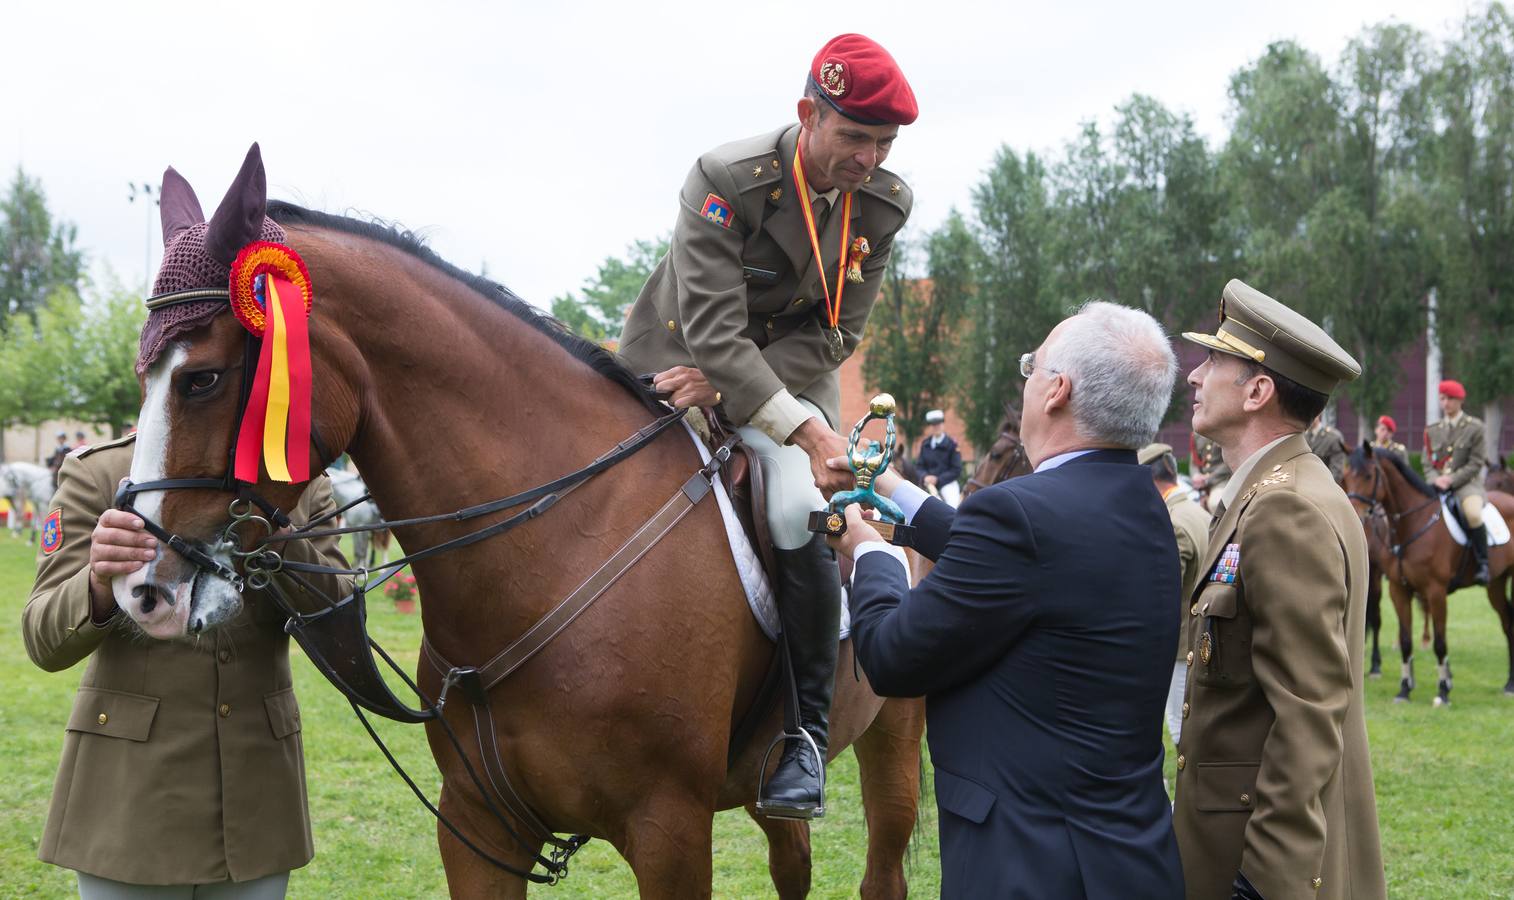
column 914, row 328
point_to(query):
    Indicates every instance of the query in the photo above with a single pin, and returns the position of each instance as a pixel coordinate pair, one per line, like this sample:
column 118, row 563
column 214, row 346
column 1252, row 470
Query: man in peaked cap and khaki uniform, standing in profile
column 1276, row 793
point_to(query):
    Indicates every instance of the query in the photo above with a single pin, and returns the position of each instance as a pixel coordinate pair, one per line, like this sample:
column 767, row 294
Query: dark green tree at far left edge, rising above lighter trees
column 37, row 257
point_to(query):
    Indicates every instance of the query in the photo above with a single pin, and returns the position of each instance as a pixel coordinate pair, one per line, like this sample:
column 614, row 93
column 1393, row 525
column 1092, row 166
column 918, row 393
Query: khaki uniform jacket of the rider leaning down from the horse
column 740, row 296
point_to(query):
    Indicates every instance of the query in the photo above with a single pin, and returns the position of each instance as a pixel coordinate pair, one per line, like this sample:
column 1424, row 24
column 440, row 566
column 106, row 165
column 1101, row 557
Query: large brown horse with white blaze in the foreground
column 621, row 727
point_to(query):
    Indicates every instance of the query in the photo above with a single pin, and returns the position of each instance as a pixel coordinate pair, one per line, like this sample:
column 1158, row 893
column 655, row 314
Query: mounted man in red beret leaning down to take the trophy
column 776, row 261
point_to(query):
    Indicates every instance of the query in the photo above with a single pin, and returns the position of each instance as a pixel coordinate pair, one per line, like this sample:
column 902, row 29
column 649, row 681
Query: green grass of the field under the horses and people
column 1445, row 783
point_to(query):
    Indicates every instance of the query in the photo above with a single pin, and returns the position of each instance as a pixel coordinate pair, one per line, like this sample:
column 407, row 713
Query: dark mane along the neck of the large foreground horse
column 581, row 349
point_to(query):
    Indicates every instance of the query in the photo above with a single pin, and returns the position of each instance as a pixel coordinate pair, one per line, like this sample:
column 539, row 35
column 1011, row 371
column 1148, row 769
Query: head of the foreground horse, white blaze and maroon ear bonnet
column 193, row 366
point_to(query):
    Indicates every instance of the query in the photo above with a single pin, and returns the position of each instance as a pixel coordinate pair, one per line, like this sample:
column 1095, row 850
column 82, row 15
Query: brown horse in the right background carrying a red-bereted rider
column 1422, row 558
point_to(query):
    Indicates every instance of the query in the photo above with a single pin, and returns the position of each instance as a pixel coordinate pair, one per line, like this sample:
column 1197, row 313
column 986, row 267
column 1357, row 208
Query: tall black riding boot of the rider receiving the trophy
column 809, row 610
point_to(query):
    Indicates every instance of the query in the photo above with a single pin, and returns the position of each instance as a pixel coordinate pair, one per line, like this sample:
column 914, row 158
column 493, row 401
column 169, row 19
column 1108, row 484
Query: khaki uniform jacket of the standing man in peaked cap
column 1274, row 772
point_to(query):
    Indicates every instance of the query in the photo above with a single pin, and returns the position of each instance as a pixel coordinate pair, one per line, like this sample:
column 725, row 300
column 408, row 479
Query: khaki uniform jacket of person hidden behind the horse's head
column 182, row 760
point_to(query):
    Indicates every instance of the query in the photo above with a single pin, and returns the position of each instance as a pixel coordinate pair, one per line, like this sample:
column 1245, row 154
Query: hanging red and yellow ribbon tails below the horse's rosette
column 278, row 419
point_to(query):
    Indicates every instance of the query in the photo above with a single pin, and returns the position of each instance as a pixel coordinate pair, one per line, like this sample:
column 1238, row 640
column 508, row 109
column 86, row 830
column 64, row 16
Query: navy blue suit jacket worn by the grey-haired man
column 1045, row 666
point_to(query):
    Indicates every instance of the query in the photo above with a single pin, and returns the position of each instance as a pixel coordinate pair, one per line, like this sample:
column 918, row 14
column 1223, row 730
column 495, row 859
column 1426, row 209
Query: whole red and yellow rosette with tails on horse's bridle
column 272, row 298
